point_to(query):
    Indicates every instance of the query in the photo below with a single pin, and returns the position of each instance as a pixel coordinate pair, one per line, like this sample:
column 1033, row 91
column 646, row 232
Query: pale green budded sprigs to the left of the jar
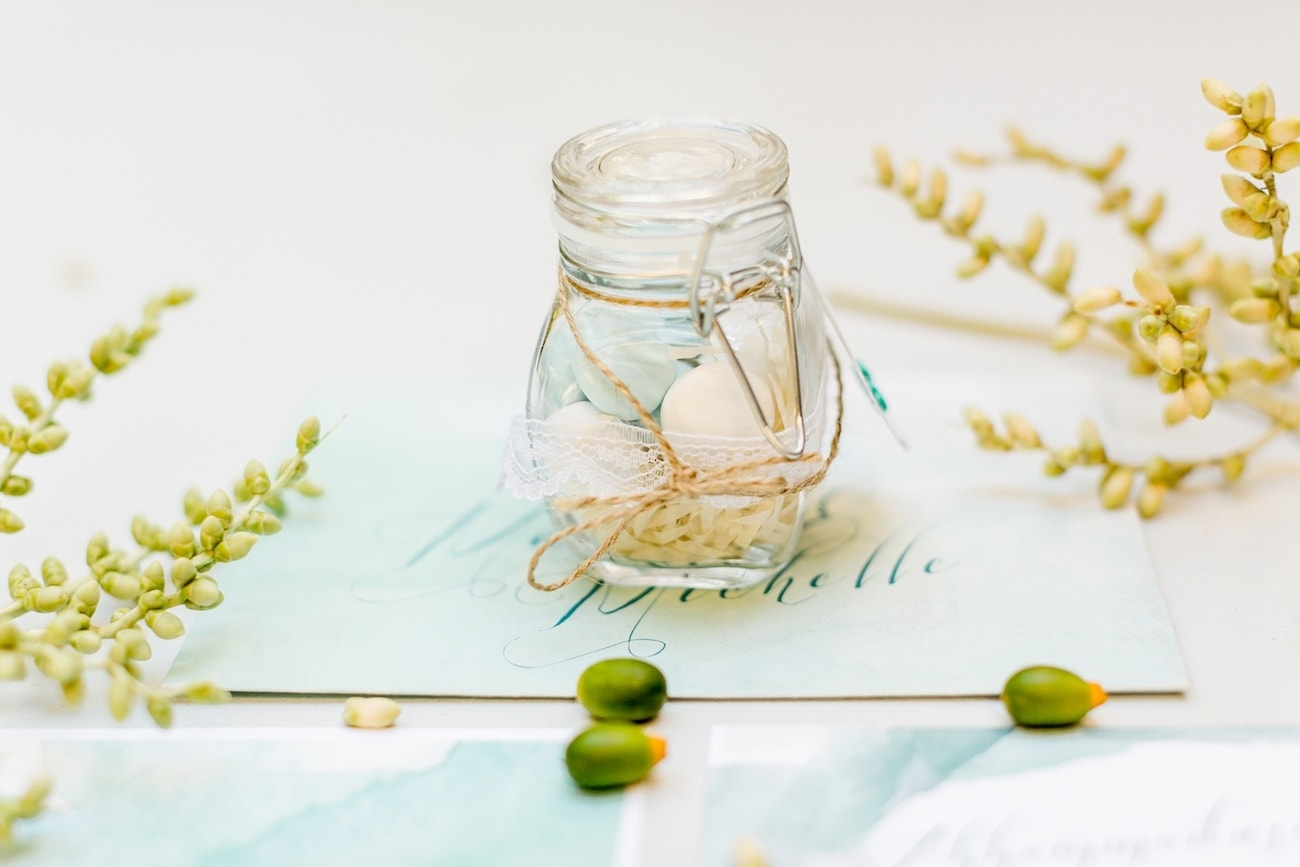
column 54, row 623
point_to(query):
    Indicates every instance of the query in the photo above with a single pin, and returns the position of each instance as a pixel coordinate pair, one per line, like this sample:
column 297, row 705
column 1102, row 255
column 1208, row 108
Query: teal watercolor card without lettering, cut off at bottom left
column 280, row 797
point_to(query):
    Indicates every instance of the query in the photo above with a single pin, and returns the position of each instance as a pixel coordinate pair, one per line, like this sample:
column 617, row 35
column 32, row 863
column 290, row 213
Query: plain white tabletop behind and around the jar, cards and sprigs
column 365, row 187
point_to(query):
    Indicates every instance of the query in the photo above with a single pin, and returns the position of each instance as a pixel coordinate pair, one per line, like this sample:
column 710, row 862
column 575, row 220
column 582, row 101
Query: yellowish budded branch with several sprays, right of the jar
column 1165, row 335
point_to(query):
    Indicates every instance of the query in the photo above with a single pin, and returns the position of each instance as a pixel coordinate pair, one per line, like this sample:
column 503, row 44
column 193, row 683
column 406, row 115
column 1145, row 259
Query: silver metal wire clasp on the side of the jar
column 783, row 272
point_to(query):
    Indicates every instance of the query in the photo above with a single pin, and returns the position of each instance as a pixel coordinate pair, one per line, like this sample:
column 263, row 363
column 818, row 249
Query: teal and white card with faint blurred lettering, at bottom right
column 952, row 797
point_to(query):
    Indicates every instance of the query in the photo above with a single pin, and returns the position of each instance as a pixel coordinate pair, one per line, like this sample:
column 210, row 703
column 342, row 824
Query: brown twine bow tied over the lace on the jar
column 682, row 480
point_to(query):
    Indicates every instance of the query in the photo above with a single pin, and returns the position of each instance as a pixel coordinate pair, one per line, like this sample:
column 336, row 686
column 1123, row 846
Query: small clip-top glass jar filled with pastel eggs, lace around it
column 677, row 408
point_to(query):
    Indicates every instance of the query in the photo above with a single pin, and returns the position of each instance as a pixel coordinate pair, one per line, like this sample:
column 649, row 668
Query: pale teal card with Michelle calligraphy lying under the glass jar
column 920, row 574
